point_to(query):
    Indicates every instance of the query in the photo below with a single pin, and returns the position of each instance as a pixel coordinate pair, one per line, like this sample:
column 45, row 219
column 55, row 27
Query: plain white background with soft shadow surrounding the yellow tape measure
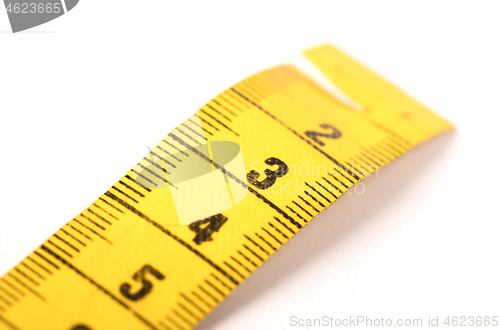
column 83, row 96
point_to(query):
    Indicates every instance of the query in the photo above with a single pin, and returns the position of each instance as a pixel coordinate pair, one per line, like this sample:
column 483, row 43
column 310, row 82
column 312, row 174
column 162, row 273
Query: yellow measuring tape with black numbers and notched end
column 284, row 149
